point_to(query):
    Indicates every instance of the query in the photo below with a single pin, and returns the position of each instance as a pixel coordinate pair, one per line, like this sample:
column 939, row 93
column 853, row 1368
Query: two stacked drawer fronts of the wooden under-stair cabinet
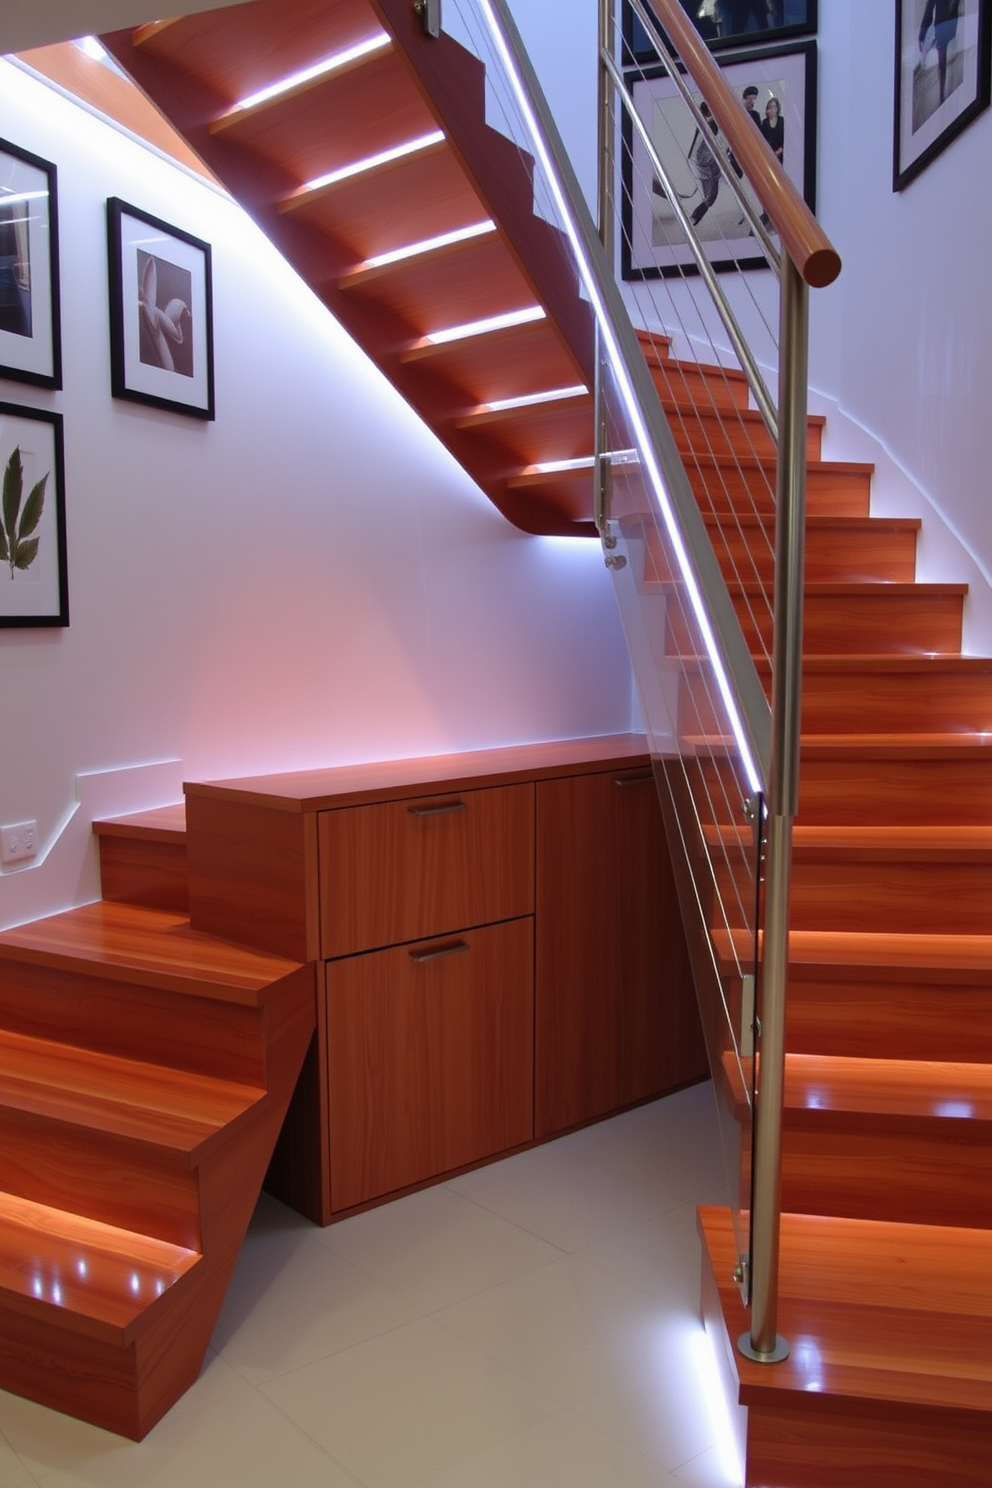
column 428, row 923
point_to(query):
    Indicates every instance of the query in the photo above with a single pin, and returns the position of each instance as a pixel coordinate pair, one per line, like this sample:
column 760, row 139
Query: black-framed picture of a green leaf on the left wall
column 33, row 581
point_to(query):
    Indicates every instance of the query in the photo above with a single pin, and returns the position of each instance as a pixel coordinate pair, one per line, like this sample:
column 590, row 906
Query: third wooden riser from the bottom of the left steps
column 133, row 1022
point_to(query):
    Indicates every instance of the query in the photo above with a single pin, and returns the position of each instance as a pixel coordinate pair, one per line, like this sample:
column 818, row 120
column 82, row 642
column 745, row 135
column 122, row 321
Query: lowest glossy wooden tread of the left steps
column 99, row 1277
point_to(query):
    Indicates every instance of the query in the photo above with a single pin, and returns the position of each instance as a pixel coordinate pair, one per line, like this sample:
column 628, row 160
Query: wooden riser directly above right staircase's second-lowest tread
column 911, row 1020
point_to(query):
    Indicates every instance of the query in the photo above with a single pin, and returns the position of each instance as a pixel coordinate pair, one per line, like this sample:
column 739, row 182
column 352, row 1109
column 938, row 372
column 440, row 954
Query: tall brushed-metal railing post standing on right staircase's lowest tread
column 788, row 673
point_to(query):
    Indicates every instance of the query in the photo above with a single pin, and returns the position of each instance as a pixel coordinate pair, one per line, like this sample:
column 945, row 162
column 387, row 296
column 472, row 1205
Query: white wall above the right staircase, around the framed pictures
column 902, row 344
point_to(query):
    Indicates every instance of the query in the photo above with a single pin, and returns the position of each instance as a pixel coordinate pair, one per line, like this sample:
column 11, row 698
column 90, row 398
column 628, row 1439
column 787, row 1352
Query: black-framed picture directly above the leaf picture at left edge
column 30, row 343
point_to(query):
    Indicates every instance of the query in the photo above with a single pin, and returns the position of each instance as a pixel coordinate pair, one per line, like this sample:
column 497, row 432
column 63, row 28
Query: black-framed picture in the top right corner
column 942, row 78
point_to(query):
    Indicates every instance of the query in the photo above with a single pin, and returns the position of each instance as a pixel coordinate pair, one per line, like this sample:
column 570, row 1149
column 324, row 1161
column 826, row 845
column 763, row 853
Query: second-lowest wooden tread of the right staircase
column 932, row 1090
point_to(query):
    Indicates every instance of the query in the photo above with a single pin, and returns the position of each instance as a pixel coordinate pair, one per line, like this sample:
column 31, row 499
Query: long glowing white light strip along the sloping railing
column 630, row 401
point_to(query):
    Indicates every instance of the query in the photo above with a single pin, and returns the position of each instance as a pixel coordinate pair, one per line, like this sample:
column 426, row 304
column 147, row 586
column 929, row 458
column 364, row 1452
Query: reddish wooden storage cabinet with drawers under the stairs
column 499, row 944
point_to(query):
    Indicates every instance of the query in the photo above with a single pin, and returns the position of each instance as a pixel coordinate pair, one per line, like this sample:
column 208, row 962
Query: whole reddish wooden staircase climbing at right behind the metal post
column 887, row 1148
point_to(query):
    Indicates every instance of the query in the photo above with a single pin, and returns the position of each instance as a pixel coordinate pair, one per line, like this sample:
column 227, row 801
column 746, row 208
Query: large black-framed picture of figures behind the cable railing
column 779, row 89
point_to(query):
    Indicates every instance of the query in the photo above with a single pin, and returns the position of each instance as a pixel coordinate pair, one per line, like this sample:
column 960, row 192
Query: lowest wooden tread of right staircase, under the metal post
column 874, row 1312
